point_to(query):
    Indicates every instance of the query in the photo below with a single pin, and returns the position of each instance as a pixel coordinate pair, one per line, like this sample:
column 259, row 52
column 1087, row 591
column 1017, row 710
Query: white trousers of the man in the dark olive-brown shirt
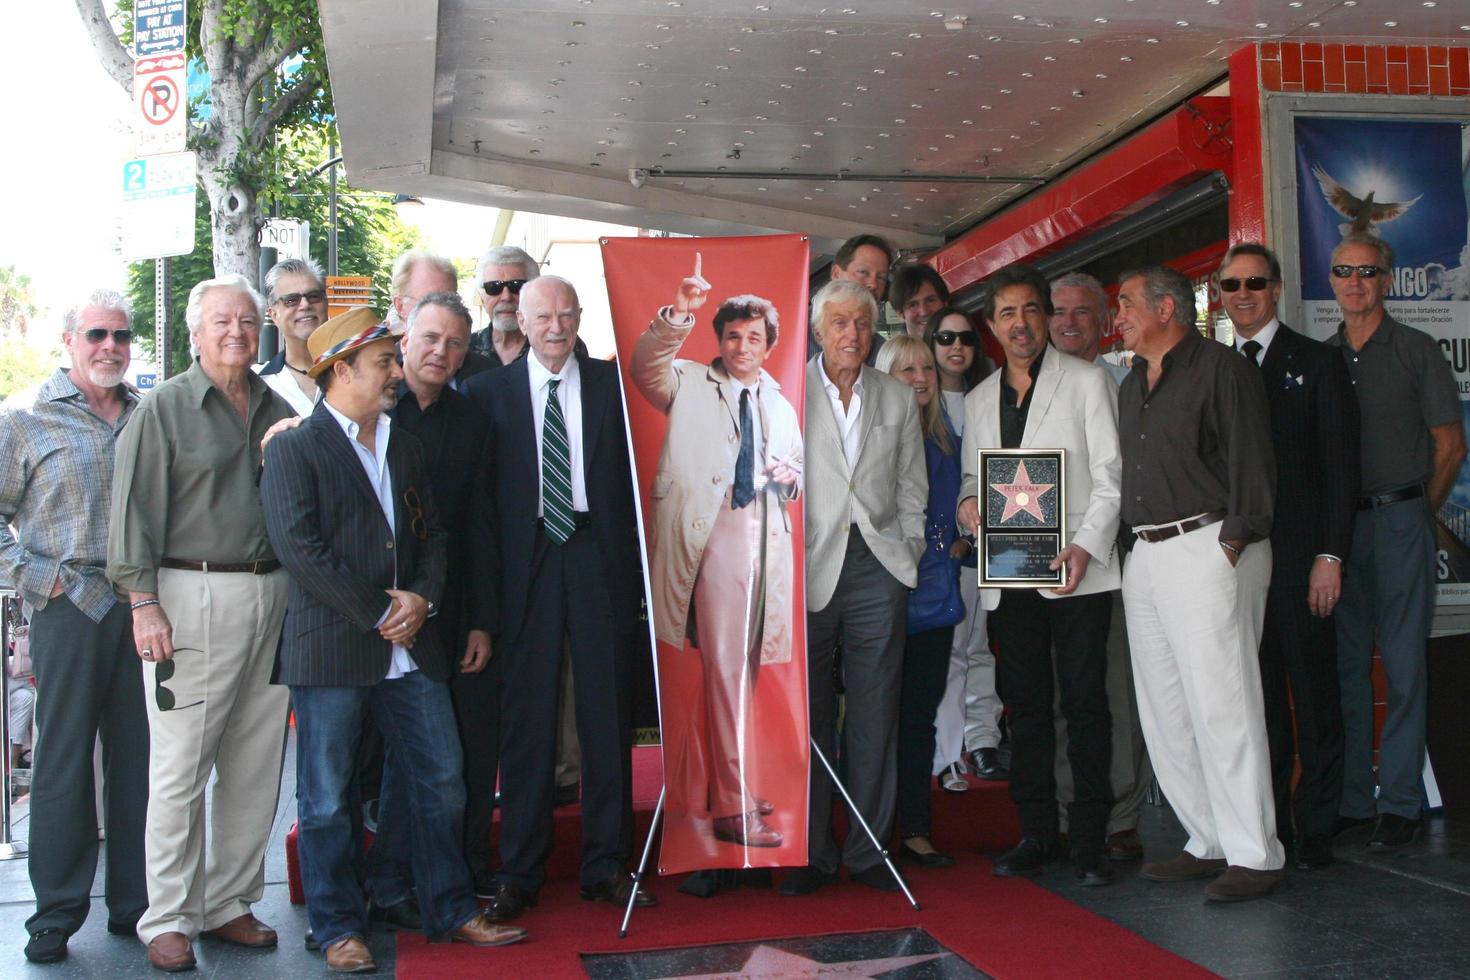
column 1194, row 628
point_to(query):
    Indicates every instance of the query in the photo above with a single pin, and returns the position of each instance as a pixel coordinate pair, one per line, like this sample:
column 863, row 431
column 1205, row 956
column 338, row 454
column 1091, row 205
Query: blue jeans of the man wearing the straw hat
column 417, row 721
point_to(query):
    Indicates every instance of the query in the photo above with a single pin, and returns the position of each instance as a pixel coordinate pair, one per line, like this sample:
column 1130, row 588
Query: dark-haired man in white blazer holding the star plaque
column 1049, row 400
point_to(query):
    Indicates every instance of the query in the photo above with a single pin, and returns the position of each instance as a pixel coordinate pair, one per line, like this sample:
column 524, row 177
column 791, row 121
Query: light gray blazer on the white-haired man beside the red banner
column 884, row 494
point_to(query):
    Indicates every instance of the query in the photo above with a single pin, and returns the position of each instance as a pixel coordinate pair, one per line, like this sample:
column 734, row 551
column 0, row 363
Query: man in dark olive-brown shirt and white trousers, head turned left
column 1199, row 483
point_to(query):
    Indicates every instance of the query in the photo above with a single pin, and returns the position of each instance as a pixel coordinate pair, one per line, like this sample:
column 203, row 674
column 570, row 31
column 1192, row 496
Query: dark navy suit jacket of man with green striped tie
column 514, row 499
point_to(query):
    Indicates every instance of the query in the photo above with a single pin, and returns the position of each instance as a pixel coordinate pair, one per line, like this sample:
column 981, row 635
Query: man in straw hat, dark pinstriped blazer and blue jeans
column 352, row 509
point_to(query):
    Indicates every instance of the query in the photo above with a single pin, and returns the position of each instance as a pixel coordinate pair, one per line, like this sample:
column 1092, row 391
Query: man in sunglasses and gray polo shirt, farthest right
column 1412, row 447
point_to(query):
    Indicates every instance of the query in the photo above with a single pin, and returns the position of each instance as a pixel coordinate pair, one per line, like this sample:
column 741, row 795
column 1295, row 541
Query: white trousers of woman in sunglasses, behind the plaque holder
column 969, row 713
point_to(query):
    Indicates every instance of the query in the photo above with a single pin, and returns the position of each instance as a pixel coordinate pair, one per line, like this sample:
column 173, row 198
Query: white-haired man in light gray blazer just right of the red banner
column 865, row 522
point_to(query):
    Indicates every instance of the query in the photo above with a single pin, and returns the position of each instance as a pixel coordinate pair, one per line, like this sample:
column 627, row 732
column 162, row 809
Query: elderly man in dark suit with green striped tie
column 567, row 575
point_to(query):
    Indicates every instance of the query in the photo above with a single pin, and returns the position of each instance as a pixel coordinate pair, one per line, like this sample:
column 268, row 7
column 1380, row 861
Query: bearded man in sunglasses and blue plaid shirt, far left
column 58, row 455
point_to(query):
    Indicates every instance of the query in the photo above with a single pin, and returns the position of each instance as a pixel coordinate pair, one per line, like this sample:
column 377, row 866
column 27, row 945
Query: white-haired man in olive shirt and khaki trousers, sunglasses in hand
column 189, row 544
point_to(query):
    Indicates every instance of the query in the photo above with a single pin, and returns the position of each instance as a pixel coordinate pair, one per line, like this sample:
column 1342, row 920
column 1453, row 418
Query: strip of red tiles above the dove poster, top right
column 1390, row 70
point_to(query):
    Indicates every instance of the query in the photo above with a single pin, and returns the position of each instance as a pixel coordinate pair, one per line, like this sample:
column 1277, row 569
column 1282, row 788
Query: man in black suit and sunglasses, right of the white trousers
column 1315, row 431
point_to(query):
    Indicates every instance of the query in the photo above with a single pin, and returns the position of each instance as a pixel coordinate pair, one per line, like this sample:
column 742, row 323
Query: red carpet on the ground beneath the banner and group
column 1006, row 928
